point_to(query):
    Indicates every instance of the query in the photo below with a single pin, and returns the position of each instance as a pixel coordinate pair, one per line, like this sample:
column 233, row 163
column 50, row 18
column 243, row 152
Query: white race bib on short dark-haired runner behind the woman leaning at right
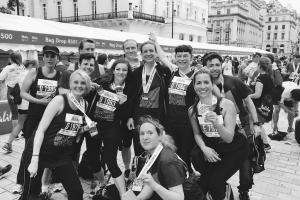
column 179, row 85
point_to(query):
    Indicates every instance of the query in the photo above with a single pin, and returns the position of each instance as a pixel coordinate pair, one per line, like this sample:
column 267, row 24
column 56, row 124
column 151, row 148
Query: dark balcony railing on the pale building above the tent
column 111, row 15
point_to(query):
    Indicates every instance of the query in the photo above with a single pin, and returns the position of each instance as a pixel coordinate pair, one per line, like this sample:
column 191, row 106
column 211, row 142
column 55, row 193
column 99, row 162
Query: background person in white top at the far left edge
column 10, row 75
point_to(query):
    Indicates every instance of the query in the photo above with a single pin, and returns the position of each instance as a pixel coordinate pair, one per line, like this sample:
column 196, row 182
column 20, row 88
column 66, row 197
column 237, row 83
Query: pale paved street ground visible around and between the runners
column 280, row 180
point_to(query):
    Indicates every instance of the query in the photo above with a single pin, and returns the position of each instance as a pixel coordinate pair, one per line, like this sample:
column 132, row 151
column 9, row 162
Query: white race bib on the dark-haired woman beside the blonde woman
column 108, row 100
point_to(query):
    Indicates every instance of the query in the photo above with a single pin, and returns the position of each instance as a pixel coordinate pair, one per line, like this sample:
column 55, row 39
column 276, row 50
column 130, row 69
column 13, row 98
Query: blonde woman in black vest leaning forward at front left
column 55, row 139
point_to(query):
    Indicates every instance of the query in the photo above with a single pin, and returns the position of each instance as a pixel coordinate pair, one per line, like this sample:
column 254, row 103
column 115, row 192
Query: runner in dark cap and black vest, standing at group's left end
column 39, row 87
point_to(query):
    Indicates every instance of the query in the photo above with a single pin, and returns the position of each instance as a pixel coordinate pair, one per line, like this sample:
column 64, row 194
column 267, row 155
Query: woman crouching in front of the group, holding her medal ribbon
column 164, row 180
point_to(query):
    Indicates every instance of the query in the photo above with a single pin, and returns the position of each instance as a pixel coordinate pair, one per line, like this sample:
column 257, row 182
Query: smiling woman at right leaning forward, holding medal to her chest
column 221, row 148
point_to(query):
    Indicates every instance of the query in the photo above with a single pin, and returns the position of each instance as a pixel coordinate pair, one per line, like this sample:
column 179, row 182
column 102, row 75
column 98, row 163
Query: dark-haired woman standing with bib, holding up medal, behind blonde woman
column 110, row 110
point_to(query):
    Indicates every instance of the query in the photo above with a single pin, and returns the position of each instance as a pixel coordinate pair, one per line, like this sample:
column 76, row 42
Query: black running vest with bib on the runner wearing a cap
column 40, row 88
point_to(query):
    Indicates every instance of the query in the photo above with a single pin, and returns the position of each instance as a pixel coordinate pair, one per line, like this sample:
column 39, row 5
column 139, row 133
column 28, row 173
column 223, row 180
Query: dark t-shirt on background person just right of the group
column 268, row 87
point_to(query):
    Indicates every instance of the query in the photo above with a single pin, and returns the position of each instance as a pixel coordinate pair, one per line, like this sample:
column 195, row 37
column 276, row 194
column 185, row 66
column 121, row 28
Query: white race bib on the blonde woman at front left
column 73, row 124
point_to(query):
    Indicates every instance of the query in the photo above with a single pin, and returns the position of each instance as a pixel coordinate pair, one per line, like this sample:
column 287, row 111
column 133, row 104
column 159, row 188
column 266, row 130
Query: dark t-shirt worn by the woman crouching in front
column 168, row 170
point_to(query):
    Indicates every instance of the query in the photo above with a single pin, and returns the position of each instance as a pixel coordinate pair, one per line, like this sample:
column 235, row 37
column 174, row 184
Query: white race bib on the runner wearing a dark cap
column 46, row 88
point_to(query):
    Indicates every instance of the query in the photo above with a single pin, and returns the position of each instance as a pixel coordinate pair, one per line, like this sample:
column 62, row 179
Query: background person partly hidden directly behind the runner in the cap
column 22, row 107
